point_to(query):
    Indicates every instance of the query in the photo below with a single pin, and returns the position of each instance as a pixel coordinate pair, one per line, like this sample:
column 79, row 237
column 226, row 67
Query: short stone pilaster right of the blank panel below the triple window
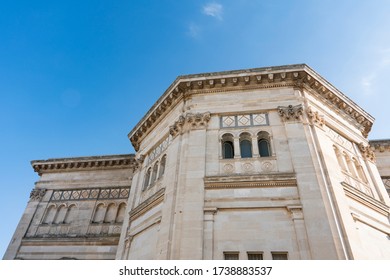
column 300, row 231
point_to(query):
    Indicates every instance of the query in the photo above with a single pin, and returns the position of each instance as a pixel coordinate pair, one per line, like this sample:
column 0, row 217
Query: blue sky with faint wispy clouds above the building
column 76, row 76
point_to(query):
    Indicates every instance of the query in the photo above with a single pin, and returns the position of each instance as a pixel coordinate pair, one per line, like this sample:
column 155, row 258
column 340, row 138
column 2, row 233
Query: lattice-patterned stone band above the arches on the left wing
column 87, row 194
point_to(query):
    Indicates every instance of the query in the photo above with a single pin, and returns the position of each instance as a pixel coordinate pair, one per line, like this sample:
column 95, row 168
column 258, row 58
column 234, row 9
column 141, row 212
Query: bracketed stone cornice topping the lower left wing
column 83, row 163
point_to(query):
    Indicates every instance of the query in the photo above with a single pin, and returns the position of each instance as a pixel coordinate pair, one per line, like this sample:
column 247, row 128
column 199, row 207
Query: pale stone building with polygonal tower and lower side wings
column 266, row 163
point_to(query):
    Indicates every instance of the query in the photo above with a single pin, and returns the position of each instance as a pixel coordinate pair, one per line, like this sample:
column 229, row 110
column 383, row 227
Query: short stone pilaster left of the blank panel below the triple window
column 208, row 233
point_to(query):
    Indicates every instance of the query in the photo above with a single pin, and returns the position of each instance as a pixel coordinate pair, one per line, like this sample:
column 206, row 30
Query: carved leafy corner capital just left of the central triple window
column 189, row 121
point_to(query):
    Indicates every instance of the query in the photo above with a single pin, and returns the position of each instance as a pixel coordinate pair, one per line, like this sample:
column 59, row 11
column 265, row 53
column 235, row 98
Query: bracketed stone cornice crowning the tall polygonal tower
column 299, row 76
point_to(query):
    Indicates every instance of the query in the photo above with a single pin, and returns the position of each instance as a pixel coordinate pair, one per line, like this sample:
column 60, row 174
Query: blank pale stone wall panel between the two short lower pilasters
column 263, row 230
